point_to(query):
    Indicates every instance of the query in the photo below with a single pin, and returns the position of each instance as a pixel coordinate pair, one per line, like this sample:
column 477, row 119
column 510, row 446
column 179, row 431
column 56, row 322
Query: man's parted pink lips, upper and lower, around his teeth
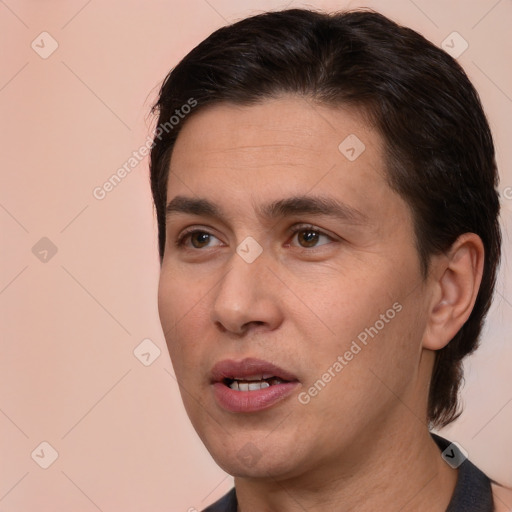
column 250, row 401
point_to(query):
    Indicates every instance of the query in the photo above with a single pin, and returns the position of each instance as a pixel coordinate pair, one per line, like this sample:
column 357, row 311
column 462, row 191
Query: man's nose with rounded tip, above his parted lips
column 247, row 297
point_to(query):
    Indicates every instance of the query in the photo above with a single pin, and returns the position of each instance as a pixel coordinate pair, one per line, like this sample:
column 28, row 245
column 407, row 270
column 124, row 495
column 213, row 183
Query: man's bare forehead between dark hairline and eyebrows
column 278, row 148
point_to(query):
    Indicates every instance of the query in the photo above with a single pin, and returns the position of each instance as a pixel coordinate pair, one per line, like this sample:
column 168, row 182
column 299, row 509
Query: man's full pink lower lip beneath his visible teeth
column 251, row 401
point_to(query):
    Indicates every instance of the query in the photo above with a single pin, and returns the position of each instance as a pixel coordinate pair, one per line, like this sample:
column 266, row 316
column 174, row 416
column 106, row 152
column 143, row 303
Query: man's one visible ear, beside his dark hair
column 456, row 277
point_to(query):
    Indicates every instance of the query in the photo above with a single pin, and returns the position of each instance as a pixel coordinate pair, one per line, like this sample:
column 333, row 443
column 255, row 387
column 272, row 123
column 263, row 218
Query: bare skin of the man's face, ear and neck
column 362, row 442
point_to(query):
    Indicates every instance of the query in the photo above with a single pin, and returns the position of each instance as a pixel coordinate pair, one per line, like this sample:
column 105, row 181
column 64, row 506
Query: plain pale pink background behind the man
column 70, row 324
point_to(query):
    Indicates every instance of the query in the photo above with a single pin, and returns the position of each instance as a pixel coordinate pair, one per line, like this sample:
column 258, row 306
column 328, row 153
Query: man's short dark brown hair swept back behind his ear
column 439, row 149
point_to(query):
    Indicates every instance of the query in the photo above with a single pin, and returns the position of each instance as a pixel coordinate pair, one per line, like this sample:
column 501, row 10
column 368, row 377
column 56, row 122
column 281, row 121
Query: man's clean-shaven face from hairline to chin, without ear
column 290, row 294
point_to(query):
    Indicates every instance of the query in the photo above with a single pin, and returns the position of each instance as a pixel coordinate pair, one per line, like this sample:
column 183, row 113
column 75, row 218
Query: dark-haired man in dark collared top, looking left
column 325, row 187
